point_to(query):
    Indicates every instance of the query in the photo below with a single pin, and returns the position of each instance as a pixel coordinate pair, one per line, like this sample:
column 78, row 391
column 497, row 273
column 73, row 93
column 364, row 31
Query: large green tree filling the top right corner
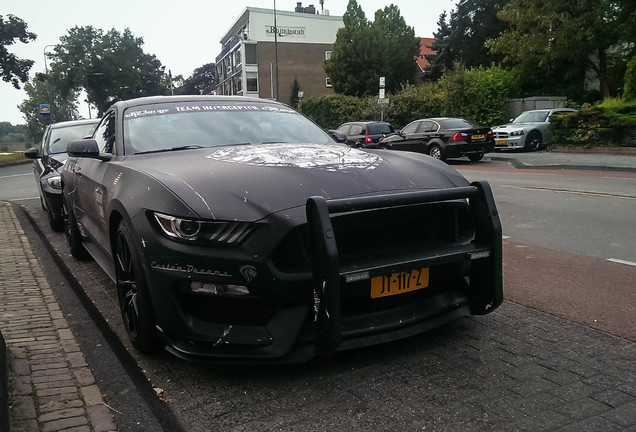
column 599, row 34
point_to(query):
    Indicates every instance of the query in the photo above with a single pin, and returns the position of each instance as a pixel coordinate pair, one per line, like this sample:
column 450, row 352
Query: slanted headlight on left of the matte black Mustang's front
column 219, row 232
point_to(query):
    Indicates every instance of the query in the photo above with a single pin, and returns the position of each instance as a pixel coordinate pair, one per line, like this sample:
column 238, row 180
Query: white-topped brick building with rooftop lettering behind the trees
column 252, row 51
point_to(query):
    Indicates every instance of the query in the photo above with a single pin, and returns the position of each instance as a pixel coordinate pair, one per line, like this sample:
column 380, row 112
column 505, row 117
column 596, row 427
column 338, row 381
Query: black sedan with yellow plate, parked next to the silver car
column 443, row 138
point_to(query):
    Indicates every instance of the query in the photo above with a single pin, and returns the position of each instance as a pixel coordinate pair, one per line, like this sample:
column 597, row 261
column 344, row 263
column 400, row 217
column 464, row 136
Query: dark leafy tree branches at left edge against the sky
column 13, row 69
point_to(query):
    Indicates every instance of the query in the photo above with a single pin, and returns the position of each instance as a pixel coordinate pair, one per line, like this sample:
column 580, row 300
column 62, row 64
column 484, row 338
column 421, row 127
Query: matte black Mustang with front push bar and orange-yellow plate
column 236, row 230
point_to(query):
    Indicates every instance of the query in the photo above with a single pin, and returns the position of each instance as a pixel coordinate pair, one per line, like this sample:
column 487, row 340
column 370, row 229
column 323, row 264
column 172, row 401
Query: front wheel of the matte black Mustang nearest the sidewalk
column 134, row 298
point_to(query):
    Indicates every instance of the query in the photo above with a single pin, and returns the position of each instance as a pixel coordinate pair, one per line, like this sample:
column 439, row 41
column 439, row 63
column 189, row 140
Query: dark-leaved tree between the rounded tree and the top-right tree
column 462, row 39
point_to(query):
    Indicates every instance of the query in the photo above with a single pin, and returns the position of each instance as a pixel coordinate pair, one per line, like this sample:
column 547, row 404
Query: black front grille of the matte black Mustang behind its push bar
column 381, row 233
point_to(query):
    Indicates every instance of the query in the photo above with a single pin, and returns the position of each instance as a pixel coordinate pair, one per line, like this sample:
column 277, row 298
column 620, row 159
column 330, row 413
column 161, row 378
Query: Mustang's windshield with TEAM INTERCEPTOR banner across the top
column 190, row 124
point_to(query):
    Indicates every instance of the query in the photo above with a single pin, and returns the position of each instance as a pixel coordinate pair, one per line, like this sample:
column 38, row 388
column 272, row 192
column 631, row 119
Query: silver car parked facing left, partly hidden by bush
column 529, row 131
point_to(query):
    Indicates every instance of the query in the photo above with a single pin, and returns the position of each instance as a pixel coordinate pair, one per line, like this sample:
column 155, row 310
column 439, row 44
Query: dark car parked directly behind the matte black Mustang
column 48, row 163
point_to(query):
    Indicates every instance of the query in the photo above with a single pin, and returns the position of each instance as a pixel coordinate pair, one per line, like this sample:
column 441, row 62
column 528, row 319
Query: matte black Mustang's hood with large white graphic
column 252, row 181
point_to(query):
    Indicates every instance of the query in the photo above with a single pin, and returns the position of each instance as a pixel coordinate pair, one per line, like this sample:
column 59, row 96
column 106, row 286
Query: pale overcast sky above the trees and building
column 183, row 35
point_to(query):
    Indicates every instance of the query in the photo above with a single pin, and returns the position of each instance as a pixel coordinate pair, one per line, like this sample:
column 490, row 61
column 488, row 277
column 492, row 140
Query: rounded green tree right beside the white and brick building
column 364, row 51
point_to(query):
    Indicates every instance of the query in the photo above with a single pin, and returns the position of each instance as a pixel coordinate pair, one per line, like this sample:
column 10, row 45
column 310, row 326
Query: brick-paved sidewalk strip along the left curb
column 52, row 388
